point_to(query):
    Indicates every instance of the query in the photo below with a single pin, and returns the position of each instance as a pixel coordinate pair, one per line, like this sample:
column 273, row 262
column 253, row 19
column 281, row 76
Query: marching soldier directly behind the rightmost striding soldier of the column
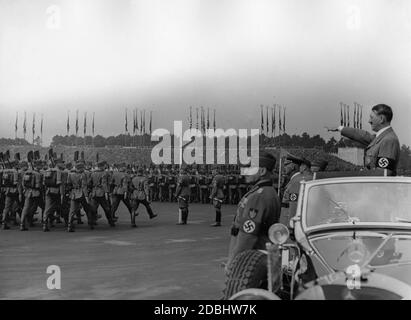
column 120, row 181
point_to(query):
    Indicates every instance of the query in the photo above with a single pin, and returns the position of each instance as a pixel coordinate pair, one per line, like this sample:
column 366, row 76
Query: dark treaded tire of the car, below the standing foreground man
column 249, row 270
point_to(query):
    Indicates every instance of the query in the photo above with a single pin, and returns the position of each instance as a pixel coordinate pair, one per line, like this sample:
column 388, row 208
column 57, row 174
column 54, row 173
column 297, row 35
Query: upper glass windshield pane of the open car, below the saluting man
column 354, row 202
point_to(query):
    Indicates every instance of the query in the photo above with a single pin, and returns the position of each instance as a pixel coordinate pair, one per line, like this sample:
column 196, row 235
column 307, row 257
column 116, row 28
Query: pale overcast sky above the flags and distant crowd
column 104, row 56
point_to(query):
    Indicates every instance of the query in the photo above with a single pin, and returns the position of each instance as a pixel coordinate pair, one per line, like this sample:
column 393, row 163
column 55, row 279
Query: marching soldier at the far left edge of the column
column 13, row 192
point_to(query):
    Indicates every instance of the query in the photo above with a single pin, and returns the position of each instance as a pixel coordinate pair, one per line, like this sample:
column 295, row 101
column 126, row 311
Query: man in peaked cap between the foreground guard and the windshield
column 290, row 197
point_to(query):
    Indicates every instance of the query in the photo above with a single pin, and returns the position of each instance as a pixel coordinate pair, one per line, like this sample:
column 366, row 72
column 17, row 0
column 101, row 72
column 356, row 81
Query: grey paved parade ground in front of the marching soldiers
column 156, row 260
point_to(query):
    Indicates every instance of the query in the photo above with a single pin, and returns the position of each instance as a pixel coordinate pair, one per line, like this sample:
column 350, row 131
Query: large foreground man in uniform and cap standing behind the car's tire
column 257, row 210
